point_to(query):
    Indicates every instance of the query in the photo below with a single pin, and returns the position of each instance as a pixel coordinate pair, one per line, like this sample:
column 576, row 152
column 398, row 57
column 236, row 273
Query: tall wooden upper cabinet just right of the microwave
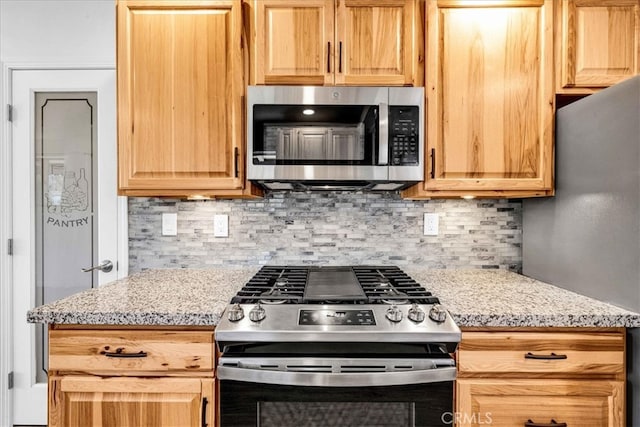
column 490, row 100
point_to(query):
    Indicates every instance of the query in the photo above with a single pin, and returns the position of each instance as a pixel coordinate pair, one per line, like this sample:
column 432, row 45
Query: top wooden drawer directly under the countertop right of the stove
column 544, row 353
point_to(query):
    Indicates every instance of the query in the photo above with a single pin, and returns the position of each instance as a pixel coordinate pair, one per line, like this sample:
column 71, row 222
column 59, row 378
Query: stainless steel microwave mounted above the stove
column 320, row 137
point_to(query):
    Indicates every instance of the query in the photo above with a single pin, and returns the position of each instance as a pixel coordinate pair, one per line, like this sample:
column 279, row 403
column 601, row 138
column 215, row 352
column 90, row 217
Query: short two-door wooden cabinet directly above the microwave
column 342, row 42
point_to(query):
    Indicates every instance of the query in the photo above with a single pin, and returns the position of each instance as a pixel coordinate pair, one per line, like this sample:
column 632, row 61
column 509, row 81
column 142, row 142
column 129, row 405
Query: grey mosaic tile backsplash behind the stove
column 327, row 228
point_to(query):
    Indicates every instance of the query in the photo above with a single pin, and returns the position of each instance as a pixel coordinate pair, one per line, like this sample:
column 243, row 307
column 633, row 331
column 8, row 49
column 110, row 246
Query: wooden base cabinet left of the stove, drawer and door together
column 131, row 377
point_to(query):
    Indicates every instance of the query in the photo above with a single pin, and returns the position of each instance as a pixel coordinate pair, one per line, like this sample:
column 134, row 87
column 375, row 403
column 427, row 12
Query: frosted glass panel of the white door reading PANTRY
column 66, row 236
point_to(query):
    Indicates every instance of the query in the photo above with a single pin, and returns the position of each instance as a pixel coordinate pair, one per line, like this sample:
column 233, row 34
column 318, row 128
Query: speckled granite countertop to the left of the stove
column 152, row 297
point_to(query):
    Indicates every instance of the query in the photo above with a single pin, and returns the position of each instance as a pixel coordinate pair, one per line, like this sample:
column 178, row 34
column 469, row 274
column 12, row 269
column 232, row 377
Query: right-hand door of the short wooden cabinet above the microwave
column 376, row 43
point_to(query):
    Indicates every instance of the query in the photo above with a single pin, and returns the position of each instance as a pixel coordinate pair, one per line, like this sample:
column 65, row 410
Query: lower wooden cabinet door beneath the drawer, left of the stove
column 128, row 402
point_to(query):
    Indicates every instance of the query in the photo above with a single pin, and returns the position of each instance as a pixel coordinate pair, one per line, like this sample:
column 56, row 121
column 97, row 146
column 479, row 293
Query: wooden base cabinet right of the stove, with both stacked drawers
column 509, row 378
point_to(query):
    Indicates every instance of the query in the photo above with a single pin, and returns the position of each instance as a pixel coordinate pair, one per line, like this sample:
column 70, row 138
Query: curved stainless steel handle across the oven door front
column 330, row 379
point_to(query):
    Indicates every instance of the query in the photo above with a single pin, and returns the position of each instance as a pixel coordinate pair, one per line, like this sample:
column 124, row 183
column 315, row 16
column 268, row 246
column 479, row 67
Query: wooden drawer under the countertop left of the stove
column 131, row 350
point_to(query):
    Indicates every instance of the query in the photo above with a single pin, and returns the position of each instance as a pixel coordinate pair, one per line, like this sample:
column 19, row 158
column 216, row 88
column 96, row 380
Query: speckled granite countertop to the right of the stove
column 501, row 298
